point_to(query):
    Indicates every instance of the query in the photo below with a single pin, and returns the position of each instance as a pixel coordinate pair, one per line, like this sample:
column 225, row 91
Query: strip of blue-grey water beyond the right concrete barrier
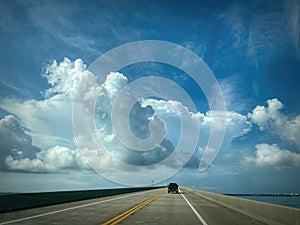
column 290, row 201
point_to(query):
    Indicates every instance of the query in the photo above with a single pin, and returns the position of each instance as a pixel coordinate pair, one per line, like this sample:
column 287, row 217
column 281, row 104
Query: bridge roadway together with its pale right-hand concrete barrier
column 156, row 206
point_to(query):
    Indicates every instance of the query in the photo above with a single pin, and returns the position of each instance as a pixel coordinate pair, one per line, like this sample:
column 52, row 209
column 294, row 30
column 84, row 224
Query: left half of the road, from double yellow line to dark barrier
column 93, row 211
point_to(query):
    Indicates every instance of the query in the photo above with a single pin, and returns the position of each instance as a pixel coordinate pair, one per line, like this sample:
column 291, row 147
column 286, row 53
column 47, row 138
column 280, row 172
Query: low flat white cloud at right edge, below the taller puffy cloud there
column 272, row 155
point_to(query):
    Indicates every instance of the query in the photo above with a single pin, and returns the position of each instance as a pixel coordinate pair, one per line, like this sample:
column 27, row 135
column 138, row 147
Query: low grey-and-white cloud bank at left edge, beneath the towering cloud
column 18, row 152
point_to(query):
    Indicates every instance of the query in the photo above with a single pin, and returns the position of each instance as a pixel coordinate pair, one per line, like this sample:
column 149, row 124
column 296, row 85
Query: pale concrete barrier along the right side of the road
column 265, row 212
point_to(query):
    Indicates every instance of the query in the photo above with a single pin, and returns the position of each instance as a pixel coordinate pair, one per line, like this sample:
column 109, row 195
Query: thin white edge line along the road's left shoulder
column 67, row 209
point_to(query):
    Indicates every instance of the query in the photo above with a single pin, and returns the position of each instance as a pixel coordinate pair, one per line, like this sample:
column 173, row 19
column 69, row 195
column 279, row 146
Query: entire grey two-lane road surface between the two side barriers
column 147, row 207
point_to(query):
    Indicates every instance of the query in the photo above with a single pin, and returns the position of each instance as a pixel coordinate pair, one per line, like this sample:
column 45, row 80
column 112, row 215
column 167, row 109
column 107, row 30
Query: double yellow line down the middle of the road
column 127, row 213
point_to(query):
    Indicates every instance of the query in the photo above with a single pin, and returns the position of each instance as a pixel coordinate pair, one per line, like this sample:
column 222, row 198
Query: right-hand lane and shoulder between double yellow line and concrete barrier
column 173, row 209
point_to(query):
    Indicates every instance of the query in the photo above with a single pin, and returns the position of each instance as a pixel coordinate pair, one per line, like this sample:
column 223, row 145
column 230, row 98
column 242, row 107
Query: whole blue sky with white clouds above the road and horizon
column 107, row 94
